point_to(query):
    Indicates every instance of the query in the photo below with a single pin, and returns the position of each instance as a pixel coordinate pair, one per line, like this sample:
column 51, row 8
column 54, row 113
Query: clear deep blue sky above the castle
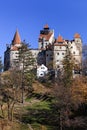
column 66, row 17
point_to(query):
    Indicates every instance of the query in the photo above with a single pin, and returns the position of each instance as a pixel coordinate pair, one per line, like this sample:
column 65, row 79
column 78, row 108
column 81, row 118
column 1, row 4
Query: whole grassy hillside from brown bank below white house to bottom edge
column 34, row 114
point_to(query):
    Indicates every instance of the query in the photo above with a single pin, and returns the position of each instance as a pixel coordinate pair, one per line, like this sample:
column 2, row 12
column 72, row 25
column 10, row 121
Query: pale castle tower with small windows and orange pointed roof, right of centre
column 60, row 47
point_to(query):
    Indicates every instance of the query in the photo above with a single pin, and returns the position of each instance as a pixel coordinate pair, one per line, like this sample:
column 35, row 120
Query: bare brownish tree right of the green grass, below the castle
column 62, row 103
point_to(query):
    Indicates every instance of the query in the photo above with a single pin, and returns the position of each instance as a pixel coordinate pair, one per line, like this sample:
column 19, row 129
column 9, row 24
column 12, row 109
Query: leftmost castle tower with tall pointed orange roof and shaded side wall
column 11, row 53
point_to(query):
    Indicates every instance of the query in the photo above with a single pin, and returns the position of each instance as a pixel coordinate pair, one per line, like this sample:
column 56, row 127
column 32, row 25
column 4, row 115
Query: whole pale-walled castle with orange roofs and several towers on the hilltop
column 51, row 51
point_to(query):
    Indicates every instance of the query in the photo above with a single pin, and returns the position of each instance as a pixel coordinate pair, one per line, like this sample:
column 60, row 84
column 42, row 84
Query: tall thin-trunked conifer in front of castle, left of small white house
column 25, row 63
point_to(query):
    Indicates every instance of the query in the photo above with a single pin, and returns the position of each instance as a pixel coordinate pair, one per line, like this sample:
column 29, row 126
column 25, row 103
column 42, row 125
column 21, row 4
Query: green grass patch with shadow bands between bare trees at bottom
column 39, row 113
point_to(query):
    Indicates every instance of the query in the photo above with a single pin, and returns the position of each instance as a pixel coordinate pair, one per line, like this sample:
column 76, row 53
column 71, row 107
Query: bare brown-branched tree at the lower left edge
column 10, row 93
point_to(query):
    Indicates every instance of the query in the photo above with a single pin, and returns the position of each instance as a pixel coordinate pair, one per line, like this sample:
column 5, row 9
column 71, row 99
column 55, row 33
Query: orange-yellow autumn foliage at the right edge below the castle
column 79, row 90
